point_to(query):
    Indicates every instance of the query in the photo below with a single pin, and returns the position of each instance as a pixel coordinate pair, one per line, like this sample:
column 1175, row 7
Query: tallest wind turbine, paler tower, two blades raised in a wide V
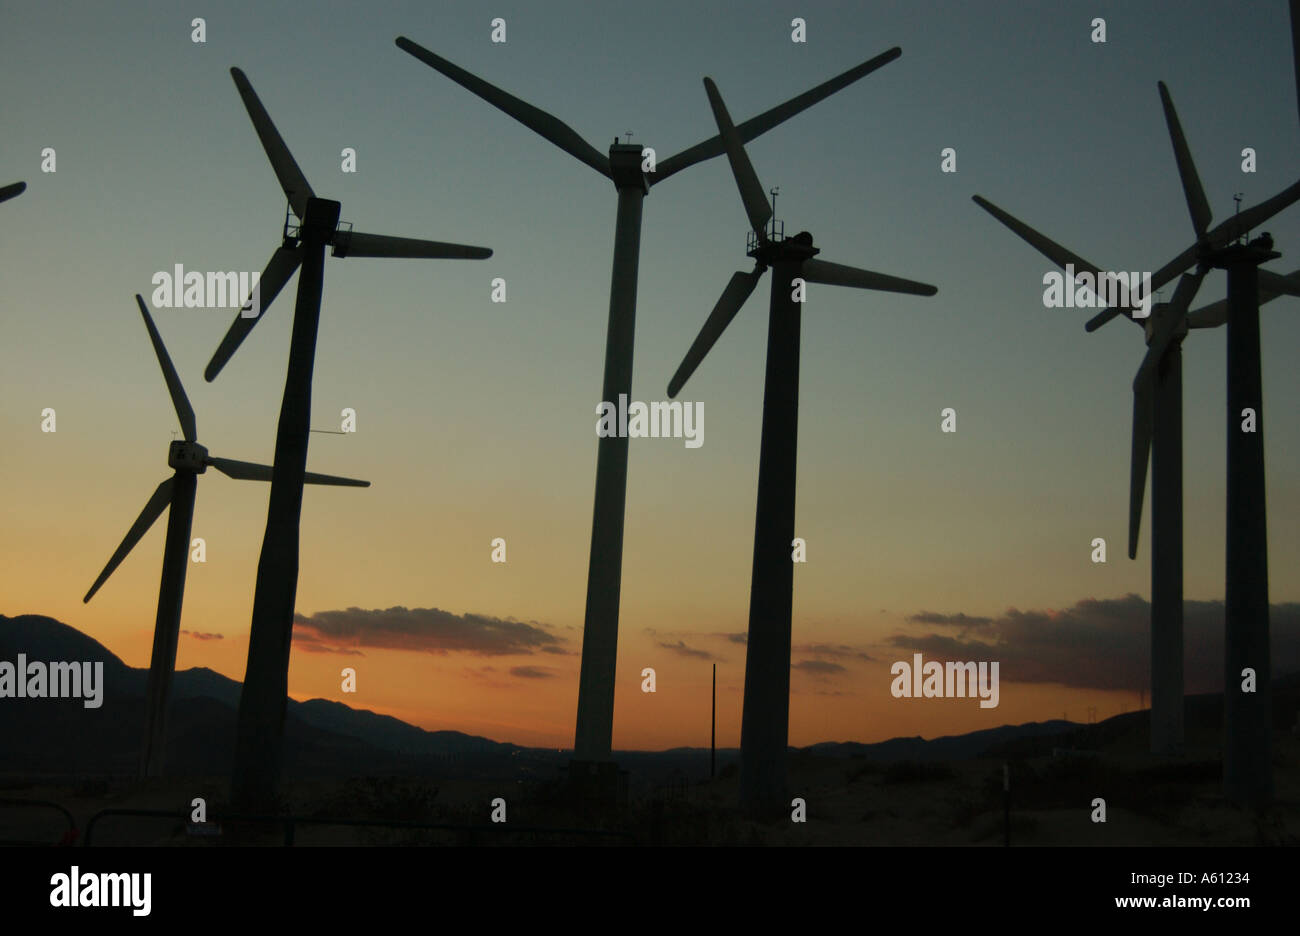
column 625, row 167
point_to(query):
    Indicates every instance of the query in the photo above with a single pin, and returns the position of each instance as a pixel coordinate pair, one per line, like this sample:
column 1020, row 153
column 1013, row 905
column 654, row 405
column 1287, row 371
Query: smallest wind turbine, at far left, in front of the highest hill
column 176, row 496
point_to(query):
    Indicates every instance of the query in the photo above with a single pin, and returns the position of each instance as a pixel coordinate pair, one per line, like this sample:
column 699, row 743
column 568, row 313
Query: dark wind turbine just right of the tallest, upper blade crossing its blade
column 765, row 723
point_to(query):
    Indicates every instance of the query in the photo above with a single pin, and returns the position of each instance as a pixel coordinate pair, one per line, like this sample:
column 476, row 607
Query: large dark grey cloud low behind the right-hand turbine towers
column 1104, row 644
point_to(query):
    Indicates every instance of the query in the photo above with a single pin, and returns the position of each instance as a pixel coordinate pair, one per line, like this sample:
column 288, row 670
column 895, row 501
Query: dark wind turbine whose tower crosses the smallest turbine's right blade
column 262, row 704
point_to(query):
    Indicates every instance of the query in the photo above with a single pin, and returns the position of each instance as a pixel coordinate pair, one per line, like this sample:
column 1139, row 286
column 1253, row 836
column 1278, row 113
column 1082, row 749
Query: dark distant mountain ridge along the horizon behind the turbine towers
column 331, row 739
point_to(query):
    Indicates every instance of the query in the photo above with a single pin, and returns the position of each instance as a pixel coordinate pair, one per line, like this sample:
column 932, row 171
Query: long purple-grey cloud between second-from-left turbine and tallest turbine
column 421, row 630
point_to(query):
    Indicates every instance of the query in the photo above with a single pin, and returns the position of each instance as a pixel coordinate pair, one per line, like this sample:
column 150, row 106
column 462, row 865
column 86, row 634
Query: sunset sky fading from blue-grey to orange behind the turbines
column 476, row 419
